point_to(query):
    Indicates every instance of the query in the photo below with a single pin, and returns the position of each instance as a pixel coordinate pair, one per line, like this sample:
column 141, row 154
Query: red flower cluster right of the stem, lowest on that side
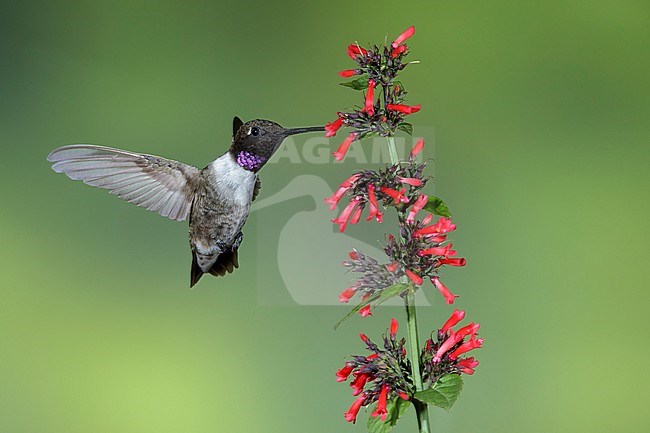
column 443, row 355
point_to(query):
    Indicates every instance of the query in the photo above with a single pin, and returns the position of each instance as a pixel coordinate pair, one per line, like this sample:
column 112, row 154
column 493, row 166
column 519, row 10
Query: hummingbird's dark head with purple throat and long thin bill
column 254, row 142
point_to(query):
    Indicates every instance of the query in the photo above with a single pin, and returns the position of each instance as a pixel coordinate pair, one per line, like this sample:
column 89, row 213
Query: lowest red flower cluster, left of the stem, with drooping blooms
column 374, row 376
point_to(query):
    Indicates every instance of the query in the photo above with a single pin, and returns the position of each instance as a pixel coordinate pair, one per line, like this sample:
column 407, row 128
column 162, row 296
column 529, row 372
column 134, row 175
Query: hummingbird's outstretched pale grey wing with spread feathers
column 157, row 184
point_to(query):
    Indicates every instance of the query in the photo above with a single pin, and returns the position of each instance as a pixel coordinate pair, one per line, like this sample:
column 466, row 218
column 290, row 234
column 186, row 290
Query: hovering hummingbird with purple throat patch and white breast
column 217, row 198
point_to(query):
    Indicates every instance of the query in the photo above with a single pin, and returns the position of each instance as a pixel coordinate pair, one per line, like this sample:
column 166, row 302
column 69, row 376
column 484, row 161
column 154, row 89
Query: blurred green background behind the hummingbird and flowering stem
column 541, row 114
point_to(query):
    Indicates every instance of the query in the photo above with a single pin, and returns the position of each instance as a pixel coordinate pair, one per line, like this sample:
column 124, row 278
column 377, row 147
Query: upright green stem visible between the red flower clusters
column 421, row 409
